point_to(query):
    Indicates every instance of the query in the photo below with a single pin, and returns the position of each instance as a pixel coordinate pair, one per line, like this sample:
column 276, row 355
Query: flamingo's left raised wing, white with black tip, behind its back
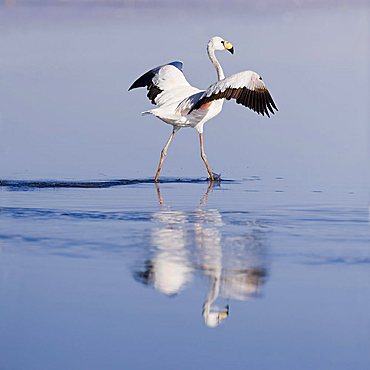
column 161, row 79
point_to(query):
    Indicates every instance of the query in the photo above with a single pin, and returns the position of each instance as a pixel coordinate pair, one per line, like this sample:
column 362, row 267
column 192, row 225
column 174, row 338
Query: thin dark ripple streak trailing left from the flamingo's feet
column 41, row 184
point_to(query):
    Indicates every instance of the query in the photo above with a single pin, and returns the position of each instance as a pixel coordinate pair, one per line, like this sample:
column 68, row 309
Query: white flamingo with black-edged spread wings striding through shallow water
column 182, row 105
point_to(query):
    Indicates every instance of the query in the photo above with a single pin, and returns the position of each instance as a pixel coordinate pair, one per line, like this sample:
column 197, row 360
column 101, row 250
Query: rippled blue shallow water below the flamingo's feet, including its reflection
column 182, row 275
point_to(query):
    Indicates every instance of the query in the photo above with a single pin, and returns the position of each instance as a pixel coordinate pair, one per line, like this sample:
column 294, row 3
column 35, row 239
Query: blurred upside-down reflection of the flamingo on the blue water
column 184, row 245
